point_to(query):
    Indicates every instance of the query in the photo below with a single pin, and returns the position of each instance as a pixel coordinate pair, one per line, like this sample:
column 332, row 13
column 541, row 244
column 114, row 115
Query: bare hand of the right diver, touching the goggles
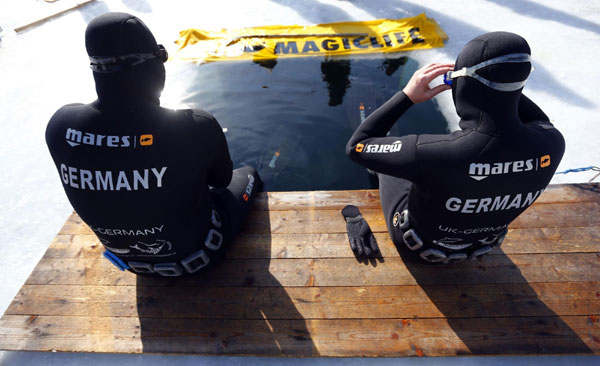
column 418, row 89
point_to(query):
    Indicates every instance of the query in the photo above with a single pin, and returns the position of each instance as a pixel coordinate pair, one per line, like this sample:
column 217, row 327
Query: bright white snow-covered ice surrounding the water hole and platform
column 46, row 67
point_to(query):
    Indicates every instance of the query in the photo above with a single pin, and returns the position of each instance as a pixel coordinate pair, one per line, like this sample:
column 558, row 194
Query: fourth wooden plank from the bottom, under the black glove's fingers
column 518, row 241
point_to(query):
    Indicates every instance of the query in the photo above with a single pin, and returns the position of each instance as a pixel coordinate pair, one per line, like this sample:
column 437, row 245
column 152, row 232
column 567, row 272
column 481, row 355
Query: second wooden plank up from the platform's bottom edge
column 378, row 302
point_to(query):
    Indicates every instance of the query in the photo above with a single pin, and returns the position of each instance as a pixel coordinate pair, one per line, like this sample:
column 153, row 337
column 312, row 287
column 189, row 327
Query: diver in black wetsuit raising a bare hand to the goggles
column 450, row 197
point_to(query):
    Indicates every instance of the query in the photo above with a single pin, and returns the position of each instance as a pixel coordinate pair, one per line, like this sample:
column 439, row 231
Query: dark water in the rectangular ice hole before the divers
column 291, row 118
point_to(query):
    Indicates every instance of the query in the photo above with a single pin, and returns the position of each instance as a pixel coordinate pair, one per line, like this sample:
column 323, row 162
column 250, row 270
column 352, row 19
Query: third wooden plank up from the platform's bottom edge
column 568, row 267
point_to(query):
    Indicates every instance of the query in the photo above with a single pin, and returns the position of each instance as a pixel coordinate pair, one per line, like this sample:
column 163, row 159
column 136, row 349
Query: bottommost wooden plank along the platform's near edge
column 315, row 337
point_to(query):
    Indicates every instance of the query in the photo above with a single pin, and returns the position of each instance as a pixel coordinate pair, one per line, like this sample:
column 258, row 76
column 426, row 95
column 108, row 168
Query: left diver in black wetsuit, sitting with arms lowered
column 155, row 185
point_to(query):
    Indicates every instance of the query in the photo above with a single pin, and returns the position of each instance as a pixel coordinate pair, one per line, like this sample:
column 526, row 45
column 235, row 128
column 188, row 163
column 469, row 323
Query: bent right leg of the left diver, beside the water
column 236, row 199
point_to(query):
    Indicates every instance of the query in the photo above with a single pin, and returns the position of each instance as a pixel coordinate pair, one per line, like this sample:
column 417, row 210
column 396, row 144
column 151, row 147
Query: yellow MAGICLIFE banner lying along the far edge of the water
column 344, row 38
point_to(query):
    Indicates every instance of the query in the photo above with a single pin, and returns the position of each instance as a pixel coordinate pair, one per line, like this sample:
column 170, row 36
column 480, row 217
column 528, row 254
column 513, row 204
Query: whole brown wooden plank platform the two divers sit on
column 291, row 286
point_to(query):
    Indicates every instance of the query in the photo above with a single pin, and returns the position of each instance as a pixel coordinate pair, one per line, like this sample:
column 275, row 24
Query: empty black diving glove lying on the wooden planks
column 362, row 240
